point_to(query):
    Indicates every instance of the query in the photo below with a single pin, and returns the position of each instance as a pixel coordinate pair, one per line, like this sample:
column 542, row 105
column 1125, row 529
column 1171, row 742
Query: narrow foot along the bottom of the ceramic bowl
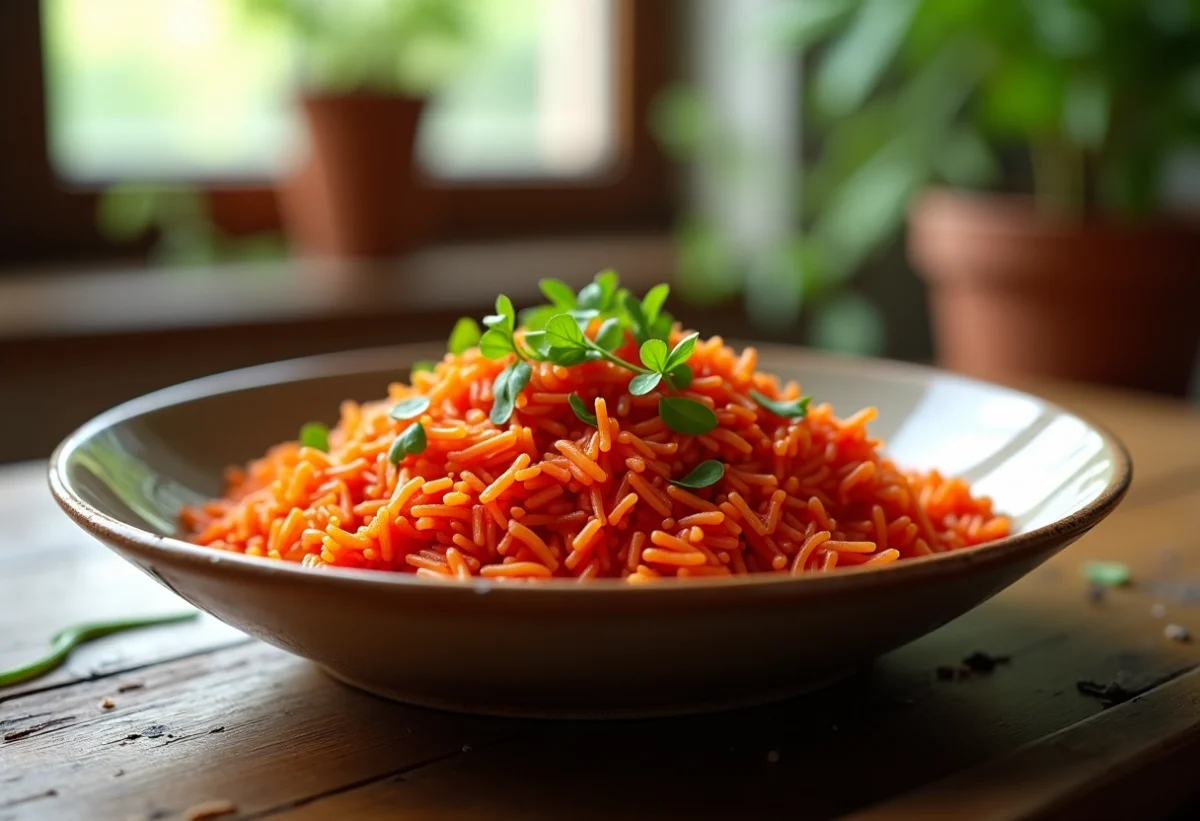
column 593, row 712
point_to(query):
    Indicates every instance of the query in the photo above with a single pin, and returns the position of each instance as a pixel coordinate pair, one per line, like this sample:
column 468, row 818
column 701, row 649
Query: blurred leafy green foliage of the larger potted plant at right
column 1079, row 103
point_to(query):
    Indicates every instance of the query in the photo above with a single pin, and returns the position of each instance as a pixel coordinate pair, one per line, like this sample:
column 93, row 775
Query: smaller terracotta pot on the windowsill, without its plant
column 358, row 193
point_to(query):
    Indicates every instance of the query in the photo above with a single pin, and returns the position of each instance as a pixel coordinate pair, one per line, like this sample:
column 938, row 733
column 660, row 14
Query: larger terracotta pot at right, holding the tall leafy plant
column 1017, row 293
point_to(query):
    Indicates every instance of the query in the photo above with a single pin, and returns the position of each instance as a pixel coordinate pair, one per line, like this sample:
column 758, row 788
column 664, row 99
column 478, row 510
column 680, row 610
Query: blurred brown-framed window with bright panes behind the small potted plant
column 545, row 131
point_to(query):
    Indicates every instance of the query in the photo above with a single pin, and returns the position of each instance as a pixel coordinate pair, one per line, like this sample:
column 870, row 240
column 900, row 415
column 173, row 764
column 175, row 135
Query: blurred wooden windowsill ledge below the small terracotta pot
column 73, row 303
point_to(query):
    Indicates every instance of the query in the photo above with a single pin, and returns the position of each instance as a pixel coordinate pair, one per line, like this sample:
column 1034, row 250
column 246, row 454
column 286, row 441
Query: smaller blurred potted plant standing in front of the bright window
column 367, row 73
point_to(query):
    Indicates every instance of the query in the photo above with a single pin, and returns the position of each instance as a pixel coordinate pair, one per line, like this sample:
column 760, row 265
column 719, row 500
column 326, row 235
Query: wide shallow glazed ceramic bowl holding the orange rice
column 605, row 648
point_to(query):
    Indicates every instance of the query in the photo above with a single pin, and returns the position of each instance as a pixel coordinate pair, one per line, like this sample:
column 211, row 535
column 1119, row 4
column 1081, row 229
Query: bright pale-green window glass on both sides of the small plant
column 199, row 89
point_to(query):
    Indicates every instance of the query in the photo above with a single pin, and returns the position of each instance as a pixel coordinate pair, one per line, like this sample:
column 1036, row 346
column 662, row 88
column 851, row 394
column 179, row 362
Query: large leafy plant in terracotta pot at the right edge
column 1029, row 145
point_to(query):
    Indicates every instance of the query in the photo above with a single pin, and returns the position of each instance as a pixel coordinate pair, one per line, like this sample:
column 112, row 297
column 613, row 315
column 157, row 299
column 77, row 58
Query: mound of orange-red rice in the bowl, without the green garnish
column 548, row 495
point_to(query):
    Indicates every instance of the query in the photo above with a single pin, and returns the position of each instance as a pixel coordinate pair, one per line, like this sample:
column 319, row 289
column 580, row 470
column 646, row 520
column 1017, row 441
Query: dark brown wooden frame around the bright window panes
column 44, row 218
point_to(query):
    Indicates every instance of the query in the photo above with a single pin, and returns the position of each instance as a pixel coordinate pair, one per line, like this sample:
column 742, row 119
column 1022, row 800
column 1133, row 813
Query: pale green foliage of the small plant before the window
column 392, row 46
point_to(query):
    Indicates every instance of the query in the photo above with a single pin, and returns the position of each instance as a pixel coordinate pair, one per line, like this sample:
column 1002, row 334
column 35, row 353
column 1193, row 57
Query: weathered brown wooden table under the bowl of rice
column 205, row 715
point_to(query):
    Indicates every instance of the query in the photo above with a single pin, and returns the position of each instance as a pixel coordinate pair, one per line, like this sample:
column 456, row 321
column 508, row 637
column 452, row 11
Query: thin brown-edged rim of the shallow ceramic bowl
column 367, row 361
